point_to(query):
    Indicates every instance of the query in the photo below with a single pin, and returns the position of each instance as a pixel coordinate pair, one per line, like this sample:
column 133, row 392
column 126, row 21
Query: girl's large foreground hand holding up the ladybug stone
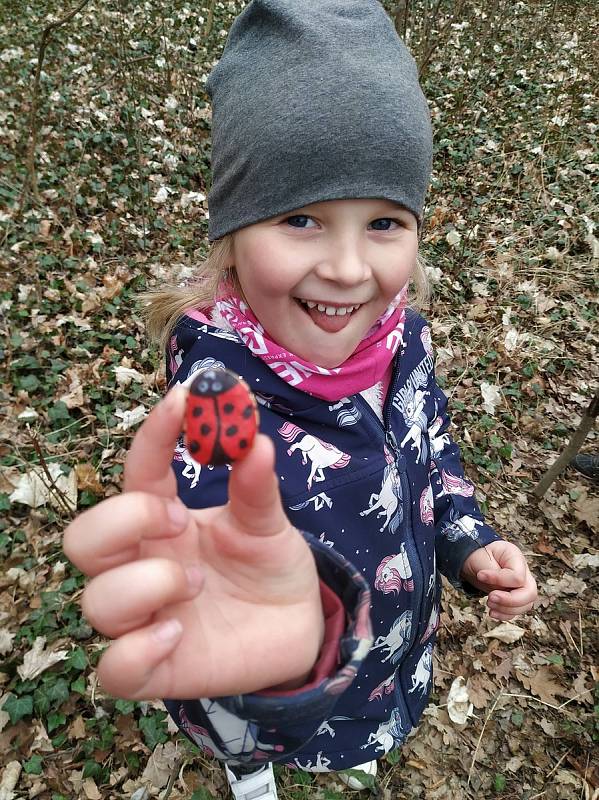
column 204, row 603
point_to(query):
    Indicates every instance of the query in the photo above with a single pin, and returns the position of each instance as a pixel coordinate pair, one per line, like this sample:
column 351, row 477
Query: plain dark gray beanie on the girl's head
column 314, row 100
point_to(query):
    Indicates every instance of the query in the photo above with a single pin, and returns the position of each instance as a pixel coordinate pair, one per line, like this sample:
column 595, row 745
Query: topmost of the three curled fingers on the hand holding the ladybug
column 109, row 534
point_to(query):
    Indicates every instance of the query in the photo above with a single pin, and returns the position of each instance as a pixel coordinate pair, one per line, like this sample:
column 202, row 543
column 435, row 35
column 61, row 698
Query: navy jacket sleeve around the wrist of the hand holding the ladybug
column 252, row 728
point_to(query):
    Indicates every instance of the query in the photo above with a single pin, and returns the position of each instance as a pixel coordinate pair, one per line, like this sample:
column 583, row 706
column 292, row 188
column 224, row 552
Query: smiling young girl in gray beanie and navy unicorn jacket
column 290, row 603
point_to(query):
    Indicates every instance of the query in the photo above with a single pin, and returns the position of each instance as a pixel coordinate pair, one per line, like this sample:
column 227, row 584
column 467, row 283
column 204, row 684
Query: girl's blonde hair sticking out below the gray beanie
column 165, row 307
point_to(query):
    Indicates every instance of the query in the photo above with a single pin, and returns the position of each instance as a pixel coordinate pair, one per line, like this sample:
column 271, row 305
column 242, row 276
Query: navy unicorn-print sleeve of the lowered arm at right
column 459, row 525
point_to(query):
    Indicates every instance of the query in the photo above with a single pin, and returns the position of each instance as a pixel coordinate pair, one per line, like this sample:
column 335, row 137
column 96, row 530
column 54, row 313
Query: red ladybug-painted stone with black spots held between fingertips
column 221, row 417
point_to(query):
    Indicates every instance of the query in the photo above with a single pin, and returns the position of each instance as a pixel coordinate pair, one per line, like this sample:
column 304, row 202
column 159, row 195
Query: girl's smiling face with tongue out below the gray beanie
column 319, row 277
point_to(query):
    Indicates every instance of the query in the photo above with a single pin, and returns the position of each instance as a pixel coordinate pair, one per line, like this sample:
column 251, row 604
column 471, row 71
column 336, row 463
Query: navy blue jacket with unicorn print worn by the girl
column 384, row 506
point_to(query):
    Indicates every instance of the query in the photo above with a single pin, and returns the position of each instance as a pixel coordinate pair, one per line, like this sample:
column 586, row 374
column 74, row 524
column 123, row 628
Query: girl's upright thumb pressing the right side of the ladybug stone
column 254, row 497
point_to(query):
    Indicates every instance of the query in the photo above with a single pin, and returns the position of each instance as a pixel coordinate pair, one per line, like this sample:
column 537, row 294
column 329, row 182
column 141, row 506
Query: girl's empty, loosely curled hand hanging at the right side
column 501, row 570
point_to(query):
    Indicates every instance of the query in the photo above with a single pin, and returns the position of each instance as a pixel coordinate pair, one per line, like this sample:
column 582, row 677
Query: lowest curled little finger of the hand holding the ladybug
column 137, row 667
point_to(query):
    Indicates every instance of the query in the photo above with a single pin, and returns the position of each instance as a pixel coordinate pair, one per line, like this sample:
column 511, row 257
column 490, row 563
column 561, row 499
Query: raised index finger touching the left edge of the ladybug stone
column 148, row 464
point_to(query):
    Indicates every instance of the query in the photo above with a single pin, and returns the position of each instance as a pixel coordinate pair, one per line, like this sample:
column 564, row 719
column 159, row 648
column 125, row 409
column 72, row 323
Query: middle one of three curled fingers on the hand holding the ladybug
column 127, row 597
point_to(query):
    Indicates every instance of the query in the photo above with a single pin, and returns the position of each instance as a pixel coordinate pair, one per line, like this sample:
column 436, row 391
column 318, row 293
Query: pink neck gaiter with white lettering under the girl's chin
column 366, row 366
